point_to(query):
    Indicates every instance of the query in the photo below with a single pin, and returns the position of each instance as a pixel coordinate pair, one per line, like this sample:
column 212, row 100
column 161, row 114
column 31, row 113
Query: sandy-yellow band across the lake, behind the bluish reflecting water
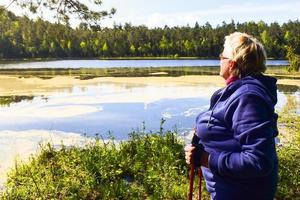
column 15, row 85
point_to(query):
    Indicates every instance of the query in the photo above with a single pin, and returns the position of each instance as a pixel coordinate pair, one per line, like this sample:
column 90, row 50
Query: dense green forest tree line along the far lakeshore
column 21, row 37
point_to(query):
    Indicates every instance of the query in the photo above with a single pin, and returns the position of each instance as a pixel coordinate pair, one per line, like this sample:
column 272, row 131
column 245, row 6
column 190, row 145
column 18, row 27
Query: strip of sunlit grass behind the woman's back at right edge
column 289, row 151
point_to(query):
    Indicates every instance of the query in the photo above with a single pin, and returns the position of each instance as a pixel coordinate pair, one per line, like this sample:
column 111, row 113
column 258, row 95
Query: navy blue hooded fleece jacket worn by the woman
column 238, row 132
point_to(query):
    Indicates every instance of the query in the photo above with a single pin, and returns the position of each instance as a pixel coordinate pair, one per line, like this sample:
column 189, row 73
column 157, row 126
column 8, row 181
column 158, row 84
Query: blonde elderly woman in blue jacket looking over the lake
column 239, row 160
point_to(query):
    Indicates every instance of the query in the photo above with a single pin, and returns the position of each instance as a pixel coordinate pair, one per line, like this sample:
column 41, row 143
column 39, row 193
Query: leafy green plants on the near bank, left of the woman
column 144, row 167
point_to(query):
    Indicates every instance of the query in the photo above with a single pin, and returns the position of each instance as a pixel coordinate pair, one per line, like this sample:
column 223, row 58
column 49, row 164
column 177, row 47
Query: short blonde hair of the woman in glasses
column 247, row 52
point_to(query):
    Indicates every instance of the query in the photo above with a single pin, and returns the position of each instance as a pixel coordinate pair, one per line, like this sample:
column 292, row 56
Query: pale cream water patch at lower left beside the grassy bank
column 24, row 143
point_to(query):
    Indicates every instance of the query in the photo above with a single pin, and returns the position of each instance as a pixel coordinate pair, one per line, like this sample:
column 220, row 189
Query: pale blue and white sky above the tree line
column 158, row 13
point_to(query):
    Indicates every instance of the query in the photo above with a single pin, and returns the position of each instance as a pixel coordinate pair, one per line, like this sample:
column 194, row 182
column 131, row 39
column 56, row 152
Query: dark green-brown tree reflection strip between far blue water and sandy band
column 90, row 73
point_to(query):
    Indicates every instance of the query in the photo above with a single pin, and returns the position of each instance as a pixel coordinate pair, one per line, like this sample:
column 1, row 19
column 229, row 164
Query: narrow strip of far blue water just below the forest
column 118, row 63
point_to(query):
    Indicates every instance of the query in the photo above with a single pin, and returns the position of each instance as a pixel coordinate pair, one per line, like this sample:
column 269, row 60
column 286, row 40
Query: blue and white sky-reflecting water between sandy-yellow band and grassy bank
column 117, row 107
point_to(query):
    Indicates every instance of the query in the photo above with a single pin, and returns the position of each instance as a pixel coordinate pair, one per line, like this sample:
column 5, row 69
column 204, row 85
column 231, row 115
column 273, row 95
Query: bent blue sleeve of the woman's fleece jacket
column 252, row 124
